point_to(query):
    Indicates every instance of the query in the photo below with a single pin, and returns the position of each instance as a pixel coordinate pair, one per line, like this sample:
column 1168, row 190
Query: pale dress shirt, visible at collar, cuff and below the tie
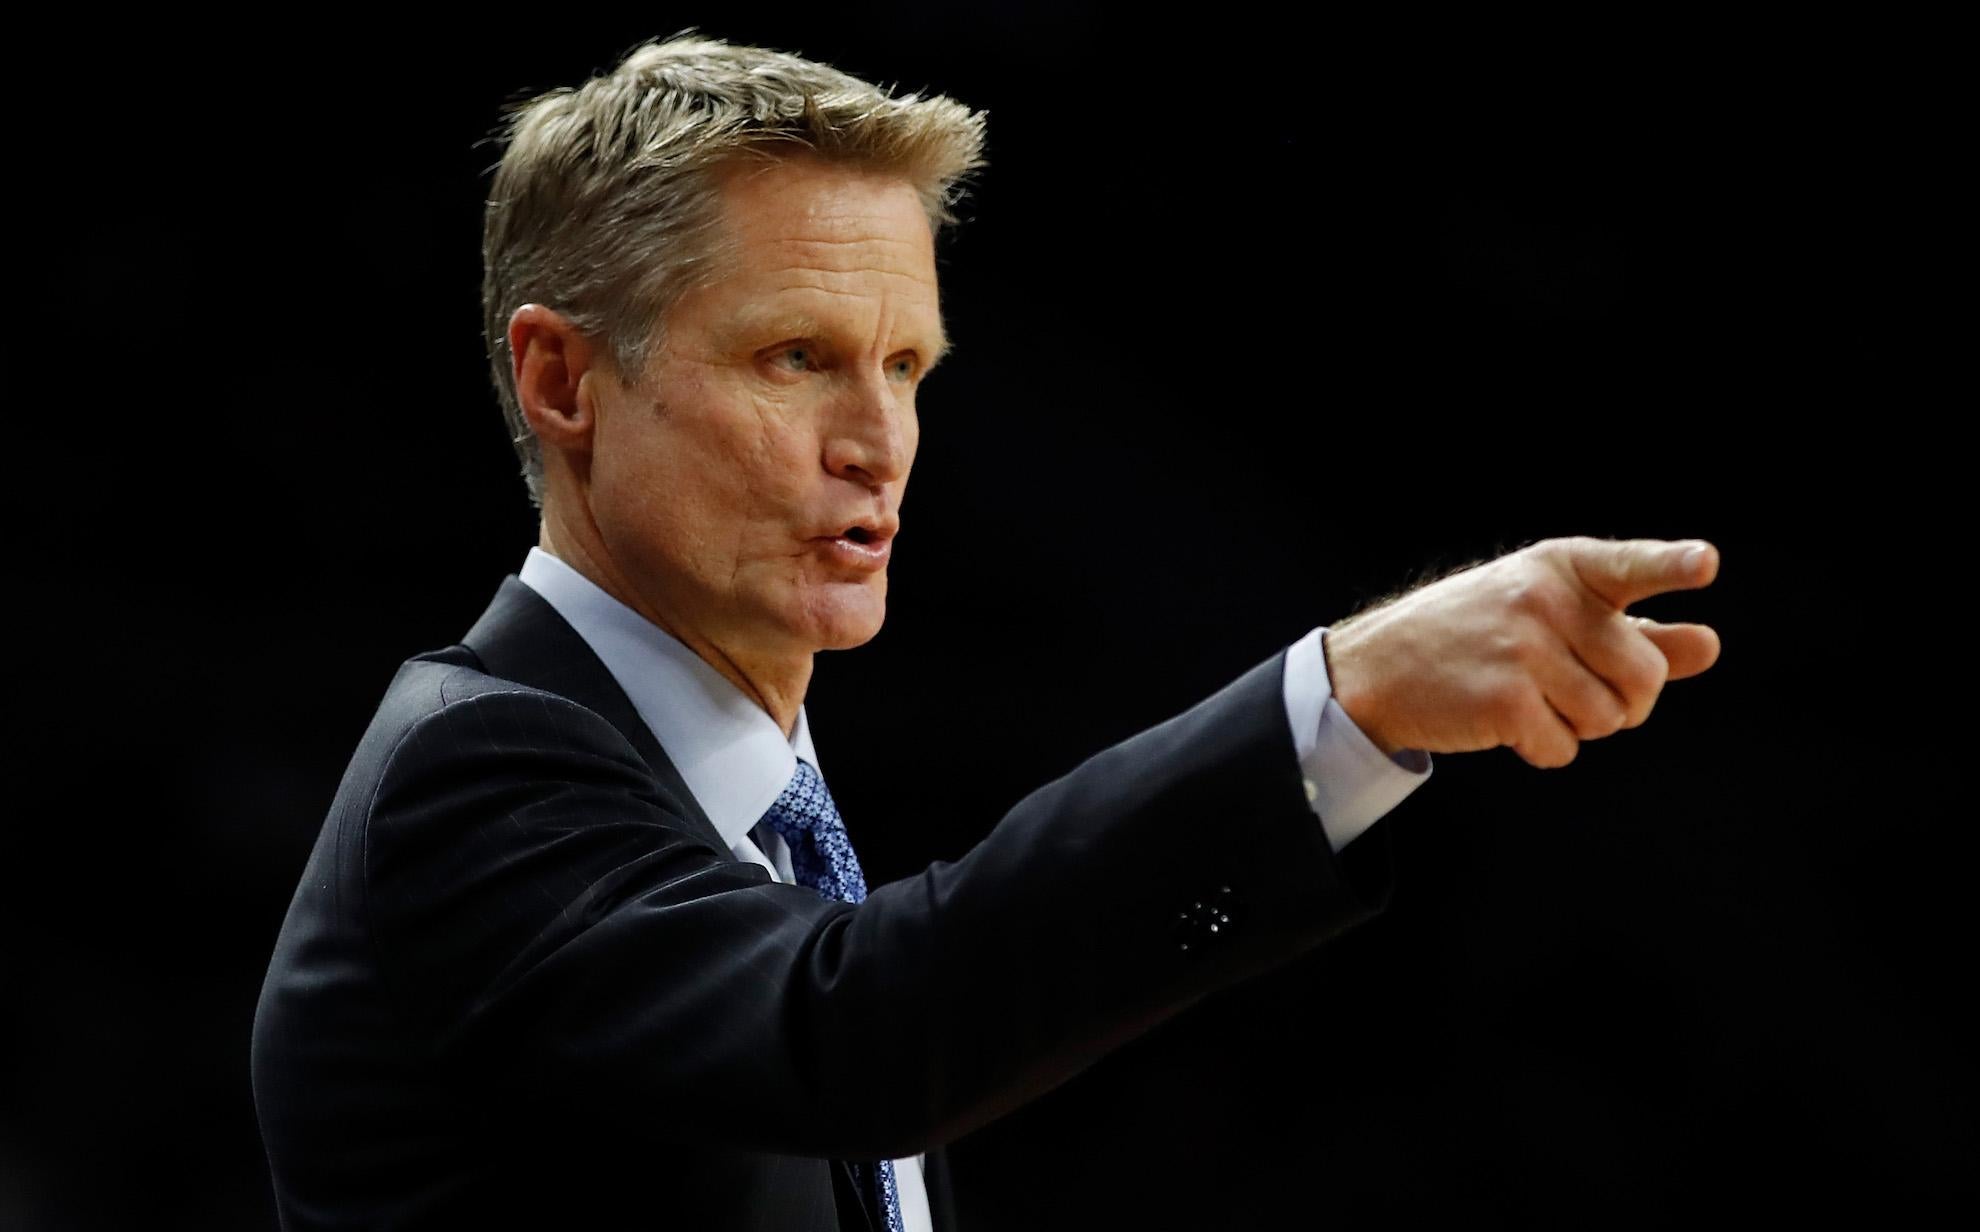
column 736, row 760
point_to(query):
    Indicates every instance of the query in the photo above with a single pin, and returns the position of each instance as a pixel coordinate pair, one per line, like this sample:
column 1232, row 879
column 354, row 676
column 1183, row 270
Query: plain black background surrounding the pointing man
column 1258, row 318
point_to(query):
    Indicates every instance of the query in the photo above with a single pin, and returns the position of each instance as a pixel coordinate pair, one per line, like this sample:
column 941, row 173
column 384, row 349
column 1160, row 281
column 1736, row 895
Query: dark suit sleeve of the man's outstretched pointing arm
column 561, row 942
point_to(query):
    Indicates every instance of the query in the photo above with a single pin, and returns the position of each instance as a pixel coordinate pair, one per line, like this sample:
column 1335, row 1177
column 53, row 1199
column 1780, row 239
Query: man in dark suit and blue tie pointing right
column 585, row 936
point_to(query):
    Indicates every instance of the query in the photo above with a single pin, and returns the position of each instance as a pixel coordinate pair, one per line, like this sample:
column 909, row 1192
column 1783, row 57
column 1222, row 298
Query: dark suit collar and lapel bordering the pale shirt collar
column 526, row 641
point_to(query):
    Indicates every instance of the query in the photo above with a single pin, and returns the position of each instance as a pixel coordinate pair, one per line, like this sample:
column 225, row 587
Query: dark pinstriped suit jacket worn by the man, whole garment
column 526, row 983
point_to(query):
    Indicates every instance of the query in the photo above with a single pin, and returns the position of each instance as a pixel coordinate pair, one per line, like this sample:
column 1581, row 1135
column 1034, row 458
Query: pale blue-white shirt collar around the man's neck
column 730, row 750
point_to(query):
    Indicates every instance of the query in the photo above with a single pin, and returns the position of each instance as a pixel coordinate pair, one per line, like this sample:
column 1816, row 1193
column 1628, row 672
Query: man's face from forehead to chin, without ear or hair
column 751, row 486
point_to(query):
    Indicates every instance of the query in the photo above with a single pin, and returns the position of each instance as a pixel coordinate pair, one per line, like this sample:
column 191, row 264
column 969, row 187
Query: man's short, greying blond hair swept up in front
column 607, row 203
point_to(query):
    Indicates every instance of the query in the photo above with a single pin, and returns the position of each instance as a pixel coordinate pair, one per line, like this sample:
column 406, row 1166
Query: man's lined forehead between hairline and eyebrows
column 821, row 239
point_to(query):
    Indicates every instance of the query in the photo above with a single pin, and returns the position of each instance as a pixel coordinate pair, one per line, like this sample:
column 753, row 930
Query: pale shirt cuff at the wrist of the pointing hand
column 1351, row 783
